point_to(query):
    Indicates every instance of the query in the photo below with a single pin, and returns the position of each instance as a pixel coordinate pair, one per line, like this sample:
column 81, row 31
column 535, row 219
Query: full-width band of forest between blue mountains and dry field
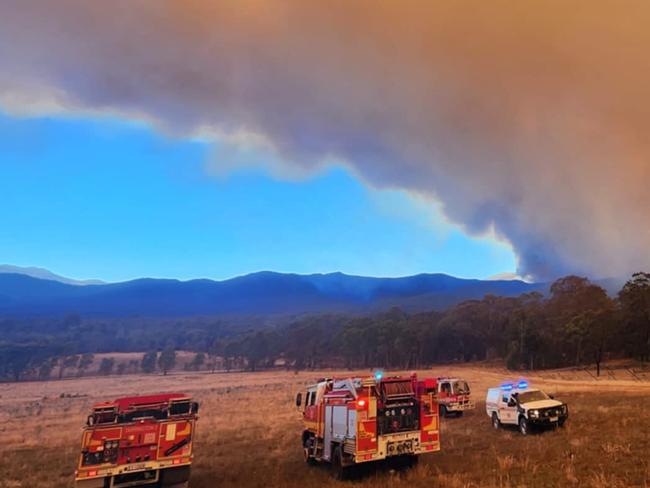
column 577, row 323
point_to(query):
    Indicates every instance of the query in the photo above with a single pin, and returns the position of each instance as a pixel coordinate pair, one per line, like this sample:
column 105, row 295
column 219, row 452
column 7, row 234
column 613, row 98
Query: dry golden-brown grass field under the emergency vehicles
column 249, row 431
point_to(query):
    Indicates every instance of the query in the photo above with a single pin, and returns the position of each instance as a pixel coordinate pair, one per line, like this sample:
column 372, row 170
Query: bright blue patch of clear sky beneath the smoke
column 112, row 199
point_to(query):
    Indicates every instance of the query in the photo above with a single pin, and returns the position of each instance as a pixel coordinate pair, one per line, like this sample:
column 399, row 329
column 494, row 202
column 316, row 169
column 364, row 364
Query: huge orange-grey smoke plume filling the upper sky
column 528, row 119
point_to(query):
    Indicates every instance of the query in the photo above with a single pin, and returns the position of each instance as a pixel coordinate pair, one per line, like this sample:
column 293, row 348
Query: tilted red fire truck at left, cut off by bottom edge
column 138, row 441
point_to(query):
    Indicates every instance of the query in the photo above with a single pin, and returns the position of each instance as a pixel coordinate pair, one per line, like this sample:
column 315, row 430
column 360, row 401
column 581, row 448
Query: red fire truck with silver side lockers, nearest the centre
column 357, row 420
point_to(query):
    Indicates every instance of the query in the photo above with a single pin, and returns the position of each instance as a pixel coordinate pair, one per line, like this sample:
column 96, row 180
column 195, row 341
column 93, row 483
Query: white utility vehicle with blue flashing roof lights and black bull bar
column 518, row 404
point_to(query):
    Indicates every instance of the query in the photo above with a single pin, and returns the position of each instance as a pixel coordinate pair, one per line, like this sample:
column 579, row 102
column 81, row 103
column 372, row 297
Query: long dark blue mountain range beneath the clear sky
column 254, row 294
